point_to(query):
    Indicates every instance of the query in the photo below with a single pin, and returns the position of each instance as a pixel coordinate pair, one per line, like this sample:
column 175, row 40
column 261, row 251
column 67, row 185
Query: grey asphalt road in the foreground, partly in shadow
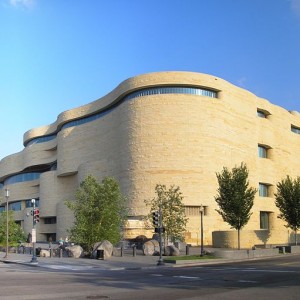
column 277, row 278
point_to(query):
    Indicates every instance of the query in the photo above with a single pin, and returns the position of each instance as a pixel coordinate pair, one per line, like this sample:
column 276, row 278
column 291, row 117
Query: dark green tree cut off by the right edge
column 287, row 200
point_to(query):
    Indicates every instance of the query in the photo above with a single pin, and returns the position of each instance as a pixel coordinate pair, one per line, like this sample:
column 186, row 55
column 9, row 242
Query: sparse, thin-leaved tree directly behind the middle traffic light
column 173, row 211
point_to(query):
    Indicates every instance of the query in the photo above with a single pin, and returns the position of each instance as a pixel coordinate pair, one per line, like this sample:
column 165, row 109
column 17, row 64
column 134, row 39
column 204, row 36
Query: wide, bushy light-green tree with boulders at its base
column 99, row 211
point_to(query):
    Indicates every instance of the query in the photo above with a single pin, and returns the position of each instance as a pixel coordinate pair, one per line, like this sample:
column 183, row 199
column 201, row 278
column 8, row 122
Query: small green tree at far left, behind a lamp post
column 15, row 231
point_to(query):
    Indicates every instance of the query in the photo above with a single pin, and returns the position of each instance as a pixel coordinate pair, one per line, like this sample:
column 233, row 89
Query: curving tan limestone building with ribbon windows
column 174, row 128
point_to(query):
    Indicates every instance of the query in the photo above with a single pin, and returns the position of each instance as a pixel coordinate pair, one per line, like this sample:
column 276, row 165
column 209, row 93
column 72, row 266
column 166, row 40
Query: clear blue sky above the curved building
column 59, row 54
